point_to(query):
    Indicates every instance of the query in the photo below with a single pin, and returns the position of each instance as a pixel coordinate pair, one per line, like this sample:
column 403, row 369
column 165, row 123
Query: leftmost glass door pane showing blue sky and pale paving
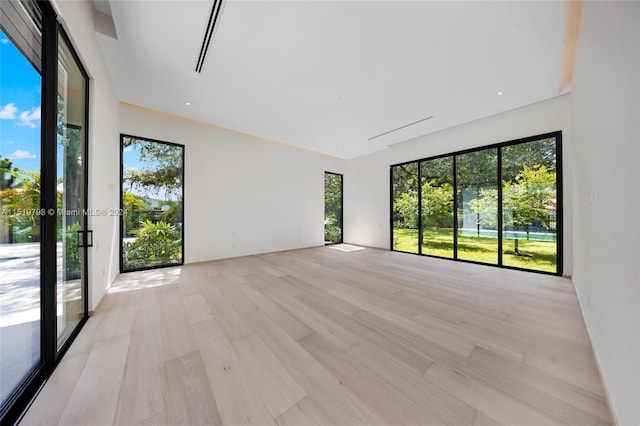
column 20, row 85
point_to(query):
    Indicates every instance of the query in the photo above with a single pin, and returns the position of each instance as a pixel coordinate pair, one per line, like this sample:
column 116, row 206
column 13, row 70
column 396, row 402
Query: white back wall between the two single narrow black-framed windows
column 242, row 195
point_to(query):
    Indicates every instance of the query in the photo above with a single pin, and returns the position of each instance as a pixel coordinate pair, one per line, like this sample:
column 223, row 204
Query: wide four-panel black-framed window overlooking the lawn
column 497, row 205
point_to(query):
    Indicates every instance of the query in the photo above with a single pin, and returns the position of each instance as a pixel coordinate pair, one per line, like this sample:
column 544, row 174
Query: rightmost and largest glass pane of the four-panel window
column 529, row 205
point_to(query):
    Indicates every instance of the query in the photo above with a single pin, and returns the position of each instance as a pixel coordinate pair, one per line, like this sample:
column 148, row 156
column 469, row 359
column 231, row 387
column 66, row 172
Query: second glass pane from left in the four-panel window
column 437, row 207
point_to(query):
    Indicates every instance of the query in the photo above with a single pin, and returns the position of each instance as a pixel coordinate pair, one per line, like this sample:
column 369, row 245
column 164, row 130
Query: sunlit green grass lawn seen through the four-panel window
column 535, row 255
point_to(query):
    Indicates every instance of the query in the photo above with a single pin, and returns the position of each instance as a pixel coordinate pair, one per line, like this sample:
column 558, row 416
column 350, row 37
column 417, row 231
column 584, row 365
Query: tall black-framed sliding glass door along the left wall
column 43, row 178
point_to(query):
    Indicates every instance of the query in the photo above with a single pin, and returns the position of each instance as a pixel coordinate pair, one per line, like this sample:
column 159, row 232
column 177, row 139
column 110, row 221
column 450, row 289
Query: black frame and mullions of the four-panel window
column 557, row 135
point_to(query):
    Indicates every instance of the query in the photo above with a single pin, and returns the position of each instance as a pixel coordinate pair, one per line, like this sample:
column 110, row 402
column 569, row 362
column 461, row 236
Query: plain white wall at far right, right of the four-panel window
column 606, row 116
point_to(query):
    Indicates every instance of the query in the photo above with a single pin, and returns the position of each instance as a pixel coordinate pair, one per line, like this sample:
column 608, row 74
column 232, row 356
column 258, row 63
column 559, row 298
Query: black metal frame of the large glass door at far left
column 44, row 16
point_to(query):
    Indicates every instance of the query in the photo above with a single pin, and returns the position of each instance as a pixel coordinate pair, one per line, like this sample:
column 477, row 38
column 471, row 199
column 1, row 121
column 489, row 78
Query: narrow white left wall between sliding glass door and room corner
column 104, row 154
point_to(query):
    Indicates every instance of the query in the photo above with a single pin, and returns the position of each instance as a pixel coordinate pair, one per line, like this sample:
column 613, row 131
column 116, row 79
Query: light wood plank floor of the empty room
column 323, row 337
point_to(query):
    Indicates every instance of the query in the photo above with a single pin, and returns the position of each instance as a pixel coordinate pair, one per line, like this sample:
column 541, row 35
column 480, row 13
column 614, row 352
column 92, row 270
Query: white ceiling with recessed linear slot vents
column 329, row 75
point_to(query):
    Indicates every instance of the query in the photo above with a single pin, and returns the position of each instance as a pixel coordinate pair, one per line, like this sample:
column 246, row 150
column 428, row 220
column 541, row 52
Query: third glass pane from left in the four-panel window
column 477, row 179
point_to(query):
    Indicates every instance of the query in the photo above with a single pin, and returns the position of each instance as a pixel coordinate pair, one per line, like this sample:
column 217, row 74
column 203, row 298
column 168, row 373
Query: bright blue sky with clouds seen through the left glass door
column 20, row 92
